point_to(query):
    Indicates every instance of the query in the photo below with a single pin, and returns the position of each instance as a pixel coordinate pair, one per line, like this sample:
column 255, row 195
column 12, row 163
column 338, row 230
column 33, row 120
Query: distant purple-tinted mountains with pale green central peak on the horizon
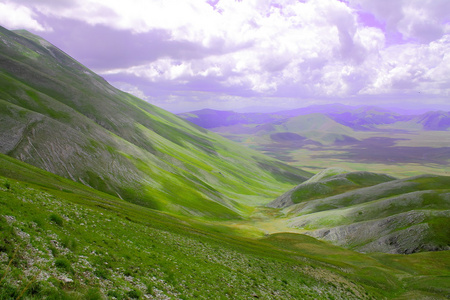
column 325, row 124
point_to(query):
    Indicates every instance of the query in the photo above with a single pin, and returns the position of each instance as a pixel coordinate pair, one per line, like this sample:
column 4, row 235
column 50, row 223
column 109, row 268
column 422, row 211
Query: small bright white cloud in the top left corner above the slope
column 15, row 16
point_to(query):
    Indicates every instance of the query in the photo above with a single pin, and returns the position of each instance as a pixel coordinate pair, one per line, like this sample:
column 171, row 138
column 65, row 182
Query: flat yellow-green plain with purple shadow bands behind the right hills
column 410, row 154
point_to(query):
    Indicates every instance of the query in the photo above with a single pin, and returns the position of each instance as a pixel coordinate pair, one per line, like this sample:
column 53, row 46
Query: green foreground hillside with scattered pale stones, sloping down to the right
column 62, row 240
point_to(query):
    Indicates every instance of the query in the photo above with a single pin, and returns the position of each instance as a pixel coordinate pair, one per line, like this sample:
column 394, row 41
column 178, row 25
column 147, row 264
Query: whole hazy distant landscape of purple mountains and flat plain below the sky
column 353, row 138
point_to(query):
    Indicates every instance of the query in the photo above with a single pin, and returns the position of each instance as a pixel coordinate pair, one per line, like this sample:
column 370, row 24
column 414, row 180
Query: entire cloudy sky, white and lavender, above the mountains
column 254, row 54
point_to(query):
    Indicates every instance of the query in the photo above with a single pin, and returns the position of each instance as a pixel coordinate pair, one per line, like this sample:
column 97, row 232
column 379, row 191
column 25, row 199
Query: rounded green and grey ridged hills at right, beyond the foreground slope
column 372, row 212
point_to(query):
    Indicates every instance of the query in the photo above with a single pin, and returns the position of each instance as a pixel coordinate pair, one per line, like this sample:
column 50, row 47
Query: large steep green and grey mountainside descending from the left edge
column 60, row 116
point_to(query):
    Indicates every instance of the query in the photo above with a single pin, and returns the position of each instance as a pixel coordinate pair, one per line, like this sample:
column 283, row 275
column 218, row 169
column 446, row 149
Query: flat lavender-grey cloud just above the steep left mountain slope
column 101, row 47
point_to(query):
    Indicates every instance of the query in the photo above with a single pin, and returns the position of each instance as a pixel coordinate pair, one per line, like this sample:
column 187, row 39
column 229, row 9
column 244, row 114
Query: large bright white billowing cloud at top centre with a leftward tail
column 277, row 42
